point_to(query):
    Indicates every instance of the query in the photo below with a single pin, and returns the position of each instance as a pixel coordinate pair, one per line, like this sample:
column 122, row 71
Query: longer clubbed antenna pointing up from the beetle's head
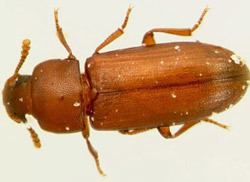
column 24, row 54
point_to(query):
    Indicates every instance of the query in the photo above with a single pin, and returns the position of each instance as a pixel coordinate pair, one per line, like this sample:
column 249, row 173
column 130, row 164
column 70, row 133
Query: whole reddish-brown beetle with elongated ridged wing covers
column 129, row 90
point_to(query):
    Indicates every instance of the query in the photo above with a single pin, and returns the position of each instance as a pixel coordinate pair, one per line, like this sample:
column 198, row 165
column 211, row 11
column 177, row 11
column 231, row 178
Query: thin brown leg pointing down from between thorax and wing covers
column 91, row 149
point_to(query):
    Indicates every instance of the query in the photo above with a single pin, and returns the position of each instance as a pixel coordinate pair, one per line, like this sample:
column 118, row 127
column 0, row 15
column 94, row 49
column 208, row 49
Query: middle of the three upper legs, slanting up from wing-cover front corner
column 115, row 34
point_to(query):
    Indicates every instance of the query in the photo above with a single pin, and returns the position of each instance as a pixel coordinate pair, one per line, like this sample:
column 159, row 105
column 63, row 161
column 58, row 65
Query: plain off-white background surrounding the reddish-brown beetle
column 205, row 153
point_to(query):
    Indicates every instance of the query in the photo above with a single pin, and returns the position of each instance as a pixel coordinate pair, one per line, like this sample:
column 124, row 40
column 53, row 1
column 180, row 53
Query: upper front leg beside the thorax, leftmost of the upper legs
column 60, row 35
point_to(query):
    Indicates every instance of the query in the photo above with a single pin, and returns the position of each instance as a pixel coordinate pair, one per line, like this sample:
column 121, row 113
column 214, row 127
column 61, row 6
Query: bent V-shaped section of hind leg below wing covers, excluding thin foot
column 166, row 133
